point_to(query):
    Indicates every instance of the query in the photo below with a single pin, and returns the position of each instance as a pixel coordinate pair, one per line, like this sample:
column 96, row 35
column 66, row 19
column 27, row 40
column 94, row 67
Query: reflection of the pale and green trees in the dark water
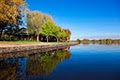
column 43, row 65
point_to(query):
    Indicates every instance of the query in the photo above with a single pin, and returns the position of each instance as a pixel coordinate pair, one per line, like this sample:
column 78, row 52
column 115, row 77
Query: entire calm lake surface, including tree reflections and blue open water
column 81, row 62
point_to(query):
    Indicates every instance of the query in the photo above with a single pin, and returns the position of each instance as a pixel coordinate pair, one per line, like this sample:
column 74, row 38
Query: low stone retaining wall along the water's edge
column 35, row 47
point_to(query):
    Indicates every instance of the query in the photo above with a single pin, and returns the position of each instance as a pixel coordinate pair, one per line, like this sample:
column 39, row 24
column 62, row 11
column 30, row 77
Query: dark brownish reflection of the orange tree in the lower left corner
column 11, row 69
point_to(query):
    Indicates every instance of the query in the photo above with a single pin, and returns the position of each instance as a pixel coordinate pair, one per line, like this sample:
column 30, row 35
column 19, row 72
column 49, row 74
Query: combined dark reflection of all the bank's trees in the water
column 32, row 65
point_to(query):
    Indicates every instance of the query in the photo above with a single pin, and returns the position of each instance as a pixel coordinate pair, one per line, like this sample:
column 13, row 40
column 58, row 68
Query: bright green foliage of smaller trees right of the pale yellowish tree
column 50, row 29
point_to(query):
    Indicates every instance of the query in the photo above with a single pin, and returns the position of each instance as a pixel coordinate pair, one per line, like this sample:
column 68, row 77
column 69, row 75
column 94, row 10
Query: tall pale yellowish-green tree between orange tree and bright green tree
column 35, row 20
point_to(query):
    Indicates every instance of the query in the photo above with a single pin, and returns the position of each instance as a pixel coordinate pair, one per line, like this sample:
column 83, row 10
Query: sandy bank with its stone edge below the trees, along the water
column 16, row 47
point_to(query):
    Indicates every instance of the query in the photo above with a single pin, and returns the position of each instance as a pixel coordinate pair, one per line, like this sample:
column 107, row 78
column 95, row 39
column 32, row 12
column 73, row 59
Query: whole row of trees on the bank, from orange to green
column 11, row 14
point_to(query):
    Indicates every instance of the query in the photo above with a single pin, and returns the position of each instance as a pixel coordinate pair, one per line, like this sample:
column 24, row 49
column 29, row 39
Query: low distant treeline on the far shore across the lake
column 100, row 41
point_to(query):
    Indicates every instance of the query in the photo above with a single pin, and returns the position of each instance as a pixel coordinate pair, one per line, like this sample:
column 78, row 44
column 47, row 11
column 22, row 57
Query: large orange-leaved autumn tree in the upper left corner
column 9, row 12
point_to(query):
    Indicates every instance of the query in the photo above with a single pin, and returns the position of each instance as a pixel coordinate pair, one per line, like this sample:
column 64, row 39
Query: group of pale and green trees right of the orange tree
column 40, row 23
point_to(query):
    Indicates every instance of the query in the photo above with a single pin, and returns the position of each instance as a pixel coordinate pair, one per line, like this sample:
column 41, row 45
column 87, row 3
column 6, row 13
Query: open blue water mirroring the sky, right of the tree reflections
column 89, row 62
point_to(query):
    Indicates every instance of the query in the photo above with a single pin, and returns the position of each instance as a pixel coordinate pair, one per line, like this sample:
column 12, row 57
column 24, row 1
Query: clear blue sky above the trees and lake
column 85, row 18
